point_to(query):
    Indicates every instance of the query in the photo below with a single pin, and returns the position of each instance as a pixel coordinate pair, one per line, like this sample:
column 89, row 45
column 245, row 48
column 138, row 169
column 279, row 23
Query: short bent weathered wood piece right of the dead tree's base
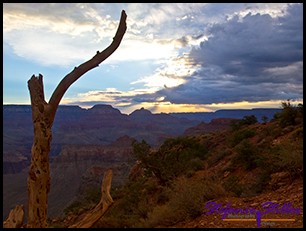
column 99, row 210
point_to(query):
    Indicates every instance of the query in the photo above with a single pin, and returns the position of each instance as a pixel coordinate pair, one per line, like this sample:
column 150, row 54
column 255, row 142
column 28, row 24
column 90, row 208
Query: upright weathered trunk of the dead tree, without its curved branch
column 39, row 173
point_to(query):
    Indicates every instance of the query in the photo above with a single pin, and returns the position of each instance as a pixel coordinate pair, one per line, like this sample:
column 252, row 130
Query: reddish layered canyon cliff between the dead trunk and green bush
column 78, row 167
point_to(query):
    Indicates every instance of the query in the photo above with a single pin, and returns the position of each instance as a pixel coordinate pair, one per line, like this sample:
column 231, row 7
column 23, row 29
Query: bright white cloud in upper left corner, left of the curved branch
column 56, row 34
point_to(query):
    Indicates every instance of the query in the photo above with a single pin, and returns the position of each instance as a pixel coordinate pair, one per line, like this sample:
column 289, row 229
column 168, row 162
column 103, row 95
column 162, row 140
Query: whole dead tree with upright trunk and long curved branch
column 43, row 114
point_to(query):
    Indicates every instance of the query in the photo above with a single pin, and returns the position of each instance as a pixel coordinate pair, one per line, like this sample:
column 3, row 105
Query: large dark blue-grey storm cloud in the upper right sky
column 253, row 58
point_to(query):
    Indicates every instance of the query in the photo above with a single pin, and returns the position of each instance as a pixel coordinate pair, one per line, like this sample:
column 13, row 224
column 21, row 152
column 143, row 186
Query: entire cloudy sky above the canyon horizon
column 174, row 57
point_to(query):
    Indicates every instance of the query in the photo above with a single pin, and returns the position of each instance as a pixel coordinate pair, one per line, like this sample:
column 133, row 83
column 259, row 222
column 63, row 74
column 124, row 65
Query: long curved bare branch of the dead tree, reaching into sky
column 90, row 64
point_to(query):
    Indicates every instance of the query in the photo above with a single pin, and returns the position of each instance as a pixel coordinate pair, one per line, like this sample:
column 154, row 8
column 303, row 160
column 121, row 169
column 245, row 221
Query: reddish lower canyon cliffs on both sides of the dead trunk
column 74, row 169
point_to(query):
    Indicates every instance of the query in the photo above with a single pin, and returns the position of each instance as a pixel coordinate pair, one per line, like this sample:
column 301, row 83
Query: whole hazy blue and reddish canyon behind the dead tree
column 86, row 142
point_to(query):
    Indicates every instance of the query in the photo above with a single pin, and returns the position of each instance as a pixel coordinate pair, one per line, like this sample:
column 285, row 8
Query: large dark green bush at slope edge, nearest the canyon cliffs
column 175, row 157
